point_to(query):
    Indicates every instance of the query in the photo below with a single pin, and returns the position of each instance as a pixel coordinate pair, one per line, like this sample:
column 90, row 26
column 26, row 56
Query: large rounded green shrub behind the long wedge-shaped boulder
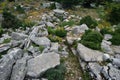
column 92, row 39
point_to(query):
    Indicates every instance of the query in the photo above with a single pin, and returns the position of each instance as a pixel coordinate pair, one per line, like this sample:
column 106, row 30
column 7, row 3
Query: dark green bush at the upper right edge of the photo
column 113, row 13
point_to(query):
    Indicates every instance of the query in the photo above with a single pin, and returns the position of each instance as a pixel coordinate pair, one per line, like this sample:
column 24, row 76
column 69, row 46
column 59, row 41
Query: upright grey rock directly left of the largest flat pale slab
column 19, row 70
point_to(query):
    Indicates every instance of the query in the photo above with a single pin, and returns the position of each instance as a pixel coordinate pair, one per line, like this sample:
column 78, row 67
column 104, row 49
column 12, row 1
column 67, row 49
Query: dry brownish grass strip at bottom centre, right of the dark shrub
column 73, row 68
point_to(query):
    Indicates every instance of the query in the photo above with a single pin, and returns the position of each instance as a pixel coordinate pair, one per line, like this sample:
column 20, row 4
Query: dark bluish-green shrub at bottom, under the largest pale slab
column 57, row 73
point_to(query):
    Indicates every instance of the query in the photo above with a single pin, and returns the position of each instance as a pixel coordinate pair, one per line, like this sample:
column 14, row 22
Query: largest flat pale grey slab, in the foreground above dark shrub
column 41, row 63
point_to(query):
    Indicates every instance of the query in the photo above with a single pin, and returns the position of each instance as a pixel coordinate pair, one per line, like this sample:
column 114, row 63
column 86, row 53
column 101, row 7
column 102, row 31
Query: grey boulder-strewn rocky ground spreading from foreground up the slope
column 31, row 52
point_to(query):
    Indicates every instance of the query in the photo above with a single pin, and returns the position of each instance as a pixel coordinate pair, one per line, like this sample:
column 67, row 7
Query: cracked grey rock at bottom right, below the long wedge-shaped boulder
column 95, row 69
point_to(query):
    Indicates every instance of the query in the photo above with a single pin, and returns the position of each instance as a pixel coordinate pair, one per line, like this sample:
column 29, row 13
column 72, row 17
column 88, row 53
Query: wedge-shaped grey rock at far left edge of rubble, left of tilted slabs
column 18, row 36
